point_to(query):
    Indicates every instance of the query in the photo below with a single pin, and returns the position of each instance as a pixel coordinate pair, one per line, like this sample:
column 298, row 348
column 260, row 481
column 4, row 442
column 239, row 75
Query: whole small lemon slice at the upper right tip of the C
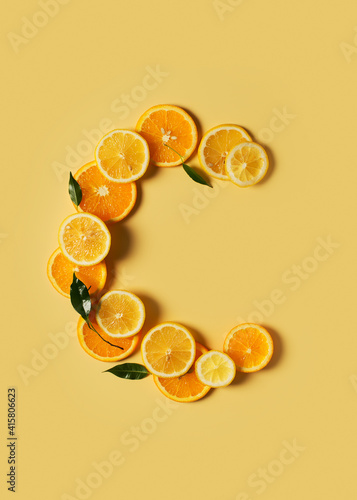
column 246, row 164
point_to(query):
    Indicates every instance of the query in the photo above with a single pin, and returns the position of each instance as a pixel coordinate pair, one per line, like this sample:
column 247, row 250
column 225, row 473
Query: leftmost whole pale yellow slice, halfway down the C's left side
column 84, row 239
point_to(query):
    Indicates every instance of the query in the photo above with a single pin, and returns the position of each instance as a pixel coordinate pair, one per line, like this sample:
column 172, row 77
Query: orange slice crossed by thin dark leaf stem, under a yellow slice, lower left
column 98, row 349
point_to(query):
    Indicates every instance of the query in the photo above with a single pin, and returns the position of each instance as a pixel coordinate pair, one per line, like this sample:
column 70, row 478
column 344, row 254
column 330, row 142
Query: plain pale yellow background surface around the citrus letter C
column 226, row 62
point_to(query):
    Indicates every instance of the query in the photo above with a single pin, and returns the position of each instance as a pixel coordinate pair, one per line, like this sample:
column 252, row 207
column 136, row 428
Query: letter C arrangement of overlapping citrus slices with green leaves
column 104, row 192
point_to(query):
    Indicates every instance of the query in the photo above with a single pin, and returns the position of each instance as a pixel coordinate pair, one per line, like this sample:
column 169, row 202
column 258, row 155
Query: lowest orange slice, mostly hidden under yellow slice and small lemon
column 186, row 388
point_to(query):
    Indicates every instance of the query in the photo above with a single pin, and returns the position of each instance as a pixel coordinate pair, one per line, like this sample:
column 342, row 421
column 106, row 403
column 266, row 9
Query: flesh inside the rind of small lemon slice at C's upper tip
column 247, row 164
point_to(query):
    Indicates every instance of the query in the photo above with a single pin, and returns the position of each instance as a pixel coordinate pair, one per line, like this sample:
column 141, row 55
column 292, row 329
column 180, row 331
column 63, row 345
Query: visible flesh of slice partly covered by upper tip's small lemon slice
column 218, row 146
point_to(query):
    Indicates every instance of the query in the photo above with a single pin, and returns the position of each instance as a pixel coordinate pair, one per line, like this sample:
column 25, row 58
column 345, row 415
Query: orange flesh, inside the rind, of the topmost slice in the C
column 167, row 127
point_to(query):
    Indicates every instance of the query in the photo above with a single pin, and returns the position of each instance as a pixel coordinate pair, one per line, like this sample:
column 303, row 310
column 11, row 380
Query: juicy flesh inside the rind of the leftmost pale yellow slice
column 84, row 239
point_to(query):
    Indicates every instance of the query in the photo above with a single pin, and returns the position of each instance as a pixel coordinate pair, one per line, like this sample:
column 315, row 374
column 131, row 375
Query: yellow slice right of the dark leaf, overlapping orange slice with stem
column 120, row 313
